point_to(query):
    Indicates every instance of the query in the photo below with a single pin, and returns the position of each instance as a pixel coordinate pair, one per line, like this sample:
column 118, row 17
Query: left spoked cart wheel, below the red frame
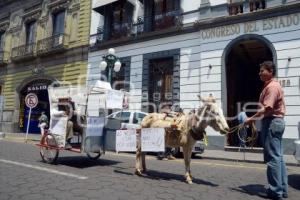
column 49, row 151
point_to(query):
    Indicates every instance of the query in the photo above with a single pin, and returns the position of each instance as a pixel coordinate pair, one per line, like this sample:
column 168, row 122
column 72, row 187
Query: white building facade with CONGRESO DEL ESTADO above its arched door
column 173, row 50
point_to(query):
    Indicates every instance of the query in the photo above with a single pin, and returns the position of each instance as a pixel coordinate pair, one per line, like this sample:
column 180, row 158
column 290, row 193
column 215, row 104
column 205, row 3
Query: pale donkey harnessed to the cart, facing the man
column 189, row 128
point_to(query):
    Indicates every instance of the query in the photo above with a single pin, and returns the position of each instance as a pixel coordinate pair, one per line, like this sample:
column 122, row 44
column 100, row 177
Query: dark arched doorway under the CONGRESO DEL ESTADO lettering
column 243, row 86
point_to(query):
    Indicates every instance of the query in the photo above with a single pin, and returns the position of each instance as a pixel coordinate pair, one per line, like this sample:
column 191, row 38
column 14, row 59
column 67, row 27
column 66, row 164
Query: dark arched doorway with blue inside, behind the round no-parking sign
column 40, row 88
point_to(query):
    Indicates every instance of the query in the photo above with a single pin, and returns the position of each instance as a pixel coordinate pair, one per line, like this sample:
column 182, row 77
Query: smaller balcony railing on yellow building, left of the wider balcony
column 23, row 52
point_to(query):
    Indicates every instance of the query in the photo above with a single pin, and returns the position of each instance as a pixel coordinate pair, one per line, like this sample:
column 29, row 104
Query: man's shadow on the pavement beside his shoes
column 253, row 190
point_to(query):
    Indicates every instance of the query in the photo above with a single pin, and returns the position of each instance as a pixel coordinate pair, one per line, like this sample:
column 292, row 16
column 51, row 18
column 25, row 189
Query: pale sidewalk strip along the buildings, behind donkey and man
column 208, row 154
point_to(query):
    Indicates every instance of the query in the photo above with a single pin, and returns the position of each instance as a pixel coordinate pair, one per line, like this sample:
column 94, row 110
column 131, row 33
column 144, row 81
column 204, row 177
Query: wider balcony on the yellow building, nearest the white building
column 53, row 44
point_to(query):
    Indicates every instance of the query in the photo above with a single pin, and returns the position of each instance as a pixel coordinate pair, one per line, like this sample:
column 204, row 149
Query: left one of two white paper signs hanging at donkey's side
column 126, row 140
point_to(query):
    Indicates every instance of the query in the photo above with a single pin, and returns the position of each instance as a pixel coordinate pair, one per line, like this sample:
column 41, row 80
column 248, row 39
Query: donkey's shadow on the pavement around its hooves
column 158, row 175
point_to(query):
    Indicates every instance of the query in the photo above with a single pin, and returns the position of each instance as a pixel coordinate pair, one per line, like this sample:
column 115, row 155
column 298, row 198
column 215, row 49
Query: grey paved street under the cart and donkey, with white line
column 24, row 176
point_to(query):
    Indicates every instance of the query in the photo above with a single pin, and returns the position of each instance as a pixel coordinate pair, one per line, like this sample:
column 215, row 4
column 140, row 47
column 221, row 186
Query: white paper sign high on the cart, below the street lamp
column 114, row 99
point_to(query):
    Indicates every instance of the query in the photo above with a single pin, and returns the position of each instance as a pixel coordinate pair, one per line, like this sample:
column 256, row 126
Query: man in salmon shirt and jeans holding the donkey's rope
column 271, row 113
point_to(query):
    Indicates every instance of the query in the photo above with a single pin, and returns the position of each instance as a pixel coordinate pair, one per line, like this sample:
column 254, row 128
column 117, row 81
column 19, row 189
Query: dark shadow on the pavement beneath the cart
column 84, row 162
